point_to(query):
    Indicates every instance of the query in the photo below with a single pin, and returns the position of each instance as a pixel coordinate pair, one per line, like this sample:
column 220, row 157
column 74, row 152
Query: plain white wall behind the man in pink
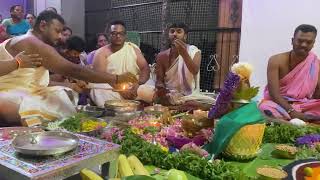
column 267, row 28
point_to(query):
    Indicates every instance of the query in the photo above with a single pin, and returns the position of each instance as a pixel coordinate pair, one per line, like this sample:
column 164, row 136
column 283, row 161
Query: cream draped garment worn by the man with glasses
column 122, row 61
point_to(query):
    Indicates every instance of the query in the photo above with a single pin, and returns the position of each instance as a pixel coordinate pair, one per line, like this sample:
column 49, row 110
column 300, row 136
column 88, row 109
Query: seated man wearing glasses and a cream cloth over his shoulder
column 116, row 58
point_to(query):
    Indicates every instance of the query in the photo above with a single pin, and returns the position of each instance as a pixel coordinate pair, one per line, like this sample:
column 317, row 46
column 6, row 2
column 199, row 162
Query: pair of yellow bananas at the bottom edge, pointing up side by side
column 130, row 166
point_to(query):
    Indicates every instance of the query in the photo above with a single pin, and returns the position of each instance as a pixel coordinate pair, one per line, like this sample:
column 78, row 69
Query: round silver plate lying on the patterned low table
column 45, row 143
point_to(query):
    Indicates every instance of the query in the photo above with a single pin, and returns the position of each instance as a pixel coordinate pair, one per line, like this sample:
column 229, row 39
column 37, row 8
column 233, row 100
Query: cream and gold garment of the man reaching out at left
column 27, row 87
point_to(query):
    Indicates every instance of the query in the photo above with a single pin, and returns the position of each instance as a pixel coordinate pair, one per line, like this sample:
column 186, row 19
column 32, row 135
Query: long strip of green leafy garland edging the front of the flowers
column 150, row 154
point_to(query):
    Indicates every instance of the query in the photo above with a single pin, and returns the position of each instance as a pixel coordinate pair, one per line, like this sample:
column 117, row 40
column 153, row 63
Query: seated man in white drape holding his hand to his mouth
column 177, row 68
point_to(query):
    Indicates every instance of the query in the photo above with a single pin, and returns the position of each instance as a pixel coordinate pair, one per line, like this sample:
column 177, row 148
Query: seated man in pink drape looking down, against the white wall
column 293, row 78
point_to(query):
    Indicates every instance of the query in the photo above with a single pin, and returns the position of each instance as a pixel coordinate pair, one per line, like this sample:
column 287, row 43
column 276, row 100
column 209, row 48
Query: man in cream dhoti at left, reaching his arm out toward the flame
column 25, row 91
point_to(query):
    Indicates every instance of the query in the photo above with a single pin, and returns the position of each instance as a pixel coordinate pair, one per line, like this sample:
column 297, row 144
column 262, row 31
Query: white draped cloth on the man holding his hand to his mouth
column 179, row 80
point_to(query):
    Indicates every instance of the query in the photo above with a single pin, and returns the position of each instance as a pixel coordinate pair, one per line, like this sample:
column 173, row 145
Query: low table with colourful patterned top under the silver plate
column 90, row 153
